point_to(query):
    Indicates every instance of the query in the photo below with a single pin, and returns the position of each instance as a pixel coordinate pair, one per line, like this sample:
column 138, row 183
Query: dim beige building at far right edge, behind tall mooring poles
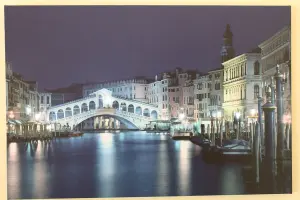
column 277, row 51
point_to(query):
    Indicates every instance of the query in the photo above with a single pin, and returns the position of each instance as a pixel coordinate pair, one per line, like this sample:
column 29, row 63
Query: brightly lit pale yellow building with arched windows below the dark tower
column 242, row 85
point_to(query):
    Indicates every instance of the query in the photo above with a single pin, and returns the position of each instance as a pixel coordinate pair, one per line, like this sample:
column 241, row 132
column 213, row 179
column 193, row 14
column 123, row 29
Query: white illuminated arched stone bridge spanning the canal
column 102, row 110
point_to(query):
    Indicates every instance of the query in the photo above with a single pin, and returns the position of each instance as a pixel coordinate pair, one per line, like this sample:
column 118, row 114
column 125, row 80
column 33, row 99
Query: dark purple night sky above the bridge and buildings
column 58, row 46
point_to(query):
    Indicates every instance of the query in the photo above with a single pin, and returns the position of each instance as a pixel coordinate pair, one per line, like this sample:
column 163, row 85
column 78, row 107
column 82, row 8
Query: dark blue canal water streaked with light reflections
column 129, row 164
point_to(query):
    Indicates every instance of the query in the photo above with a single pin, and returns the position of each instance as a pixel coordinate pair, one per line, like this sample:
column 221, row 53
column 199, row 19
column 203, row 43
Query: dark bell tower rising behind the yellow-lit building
column 227, row 50
